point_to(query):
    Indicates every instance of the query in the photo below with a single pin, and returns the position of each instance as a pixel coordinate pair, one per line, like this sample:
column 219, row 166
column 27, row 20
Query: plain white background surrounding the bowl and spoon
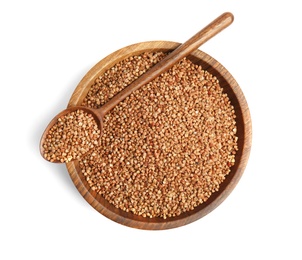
column 46, row 47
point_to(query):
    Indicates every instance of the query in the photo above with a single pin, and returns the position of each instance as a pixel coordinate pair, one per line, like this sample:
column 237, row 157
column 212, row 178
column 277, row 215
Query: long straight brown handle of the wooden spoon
column 179, row 53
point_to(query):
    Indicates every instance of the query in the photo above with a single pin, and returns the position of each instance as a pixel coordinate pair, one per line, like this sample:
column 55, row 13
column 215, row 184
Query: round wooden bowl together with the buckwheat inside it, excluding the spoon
column 173, row 150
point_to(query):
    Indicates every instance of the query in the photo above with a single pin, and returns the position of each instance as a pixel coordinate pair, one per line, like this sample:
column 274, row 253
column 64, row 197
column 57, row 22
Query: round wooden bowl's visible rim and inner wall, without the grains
column 230, row 86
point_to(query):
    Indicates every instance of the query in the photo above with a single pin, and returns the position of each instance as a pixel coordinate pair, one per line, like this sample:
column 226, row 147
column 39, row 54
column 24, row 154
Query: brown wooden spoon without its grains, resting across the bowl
column 179, row 53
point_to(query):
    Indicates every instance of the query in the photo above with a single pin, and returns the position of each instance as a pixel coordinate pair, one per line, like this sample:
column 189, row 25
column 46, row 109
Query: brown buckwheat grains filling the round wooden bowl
column 168, row 146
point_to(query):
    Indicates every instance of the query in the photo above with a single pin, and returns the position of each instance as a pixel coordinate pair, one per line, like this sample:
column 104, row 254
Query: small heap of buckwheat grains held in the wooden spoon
column 73, row 135
